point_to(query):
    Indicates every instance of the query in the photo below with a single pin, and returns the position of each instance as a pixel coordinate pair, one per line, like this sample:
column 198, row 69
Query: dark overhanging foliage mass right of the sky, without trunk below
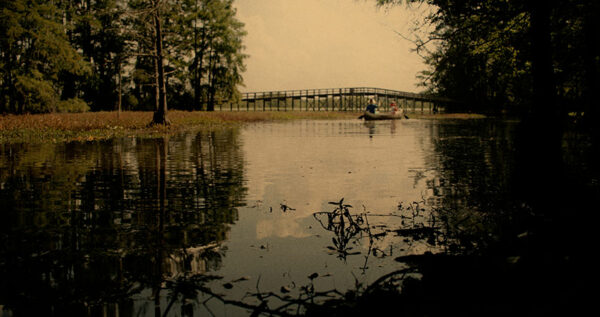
column 491, row 54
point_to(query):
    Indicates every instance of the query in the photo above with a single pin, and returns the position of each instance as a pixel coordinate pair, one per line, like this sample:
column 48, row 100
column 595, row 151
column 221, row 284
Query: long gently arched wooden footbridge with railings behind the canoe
column 336, row 99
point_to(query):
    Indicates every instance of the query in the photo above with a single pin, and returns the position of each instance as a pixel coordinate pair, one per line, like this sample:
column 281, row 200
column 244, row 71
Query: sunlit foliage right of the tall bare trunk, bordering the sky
column 208, row 31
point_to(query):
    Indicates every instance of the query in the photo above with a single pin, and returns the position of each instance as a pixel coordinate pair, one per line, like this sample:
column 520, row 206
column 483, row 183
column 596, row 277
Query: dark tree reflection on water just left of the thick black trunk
column 471, row 184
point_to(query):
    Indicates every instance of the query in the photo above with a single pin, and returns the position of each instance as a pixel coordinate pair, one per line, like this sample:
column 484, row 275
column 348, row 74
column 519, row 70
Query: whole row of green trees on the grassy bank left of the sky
column 79, row 55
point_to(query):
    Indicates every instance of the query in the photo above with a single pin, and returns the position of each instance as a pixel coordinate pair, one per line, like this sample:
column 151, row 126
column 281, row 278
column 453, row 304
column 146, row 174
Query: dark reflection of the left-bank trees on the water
column 86, row 224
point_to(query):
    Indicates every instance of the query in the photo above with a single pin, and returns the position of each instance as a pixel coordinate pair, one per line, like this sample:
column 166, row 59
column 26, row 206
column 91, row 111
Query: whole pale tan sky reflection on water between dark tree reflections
column 305, row 165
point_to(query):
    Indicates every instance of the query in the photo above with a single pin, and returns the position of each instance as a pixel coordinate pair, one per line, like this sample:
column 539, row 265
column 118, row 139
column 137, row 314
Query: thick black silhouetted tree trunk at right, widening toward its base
column 540, row 133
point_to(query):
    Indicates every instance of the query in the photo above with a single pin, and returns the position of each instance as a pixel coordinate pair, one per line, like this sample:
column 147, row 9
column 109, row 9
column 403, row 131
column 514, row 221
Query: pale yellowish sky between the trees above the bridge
column 304, row 44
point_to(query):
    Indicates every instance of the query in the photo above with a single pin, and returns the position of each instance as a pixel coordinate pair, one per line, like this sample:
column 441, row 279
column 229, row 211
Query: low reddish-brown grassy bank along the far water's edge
column 60, row 127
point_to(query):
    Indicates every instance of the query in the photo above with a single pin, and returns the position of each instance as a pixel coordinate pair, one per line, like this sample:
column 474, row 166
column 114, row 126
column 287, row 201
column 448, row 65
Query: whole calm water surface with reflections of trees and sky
column 118, row 227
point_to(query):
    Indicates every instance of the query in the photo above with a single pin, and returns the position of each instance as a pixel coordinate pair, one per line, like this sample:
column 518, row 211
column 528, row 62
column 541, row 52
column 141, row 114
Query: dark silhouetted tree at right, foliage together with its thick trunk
column 539, row 57
